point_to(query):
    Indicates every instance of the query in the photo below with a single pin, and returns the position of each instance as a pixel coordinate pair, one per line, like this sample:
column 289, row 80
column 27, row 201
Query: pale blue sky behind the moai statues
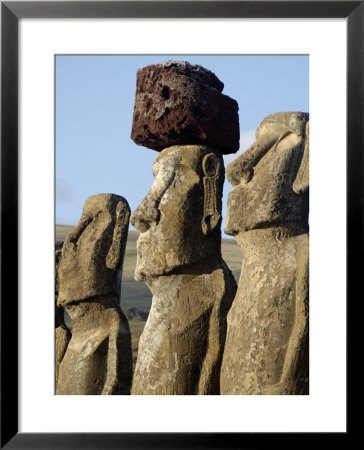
column 94, row 109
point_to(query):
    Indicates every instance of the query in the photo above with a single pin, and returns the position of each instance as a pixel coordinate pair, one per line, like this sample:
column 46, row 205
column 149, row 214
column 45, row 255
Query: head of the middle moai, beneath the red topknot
column 180, row 217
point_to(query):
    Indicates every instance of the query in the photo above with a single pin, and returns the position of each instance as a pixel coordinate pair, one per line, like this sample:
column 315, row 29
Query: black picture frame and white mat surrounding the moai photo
column 33, row 34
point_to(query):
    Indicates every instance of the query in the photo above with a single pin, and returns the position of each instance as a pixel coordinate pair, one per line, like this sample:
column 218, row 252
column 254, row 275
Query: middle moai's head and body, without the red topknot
column 179, row 258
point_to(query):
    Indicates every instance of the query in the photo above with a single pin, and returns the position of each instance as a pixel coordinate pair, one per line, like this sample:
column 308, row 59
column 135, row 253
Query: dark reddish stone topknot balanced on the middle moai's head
column 178, row 103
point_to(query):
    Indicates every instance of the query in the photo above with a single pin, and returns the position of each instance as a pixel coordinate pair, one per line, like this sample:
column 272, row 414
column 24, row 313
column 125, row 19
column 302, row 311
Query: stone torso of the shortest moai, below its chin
column 98, row 359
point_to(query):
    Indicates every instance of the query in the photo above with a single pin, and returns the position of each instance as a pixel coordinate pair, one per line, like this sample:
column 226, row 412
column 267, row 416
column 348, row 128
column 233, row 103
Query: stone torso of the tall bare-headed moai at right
column 268, row 321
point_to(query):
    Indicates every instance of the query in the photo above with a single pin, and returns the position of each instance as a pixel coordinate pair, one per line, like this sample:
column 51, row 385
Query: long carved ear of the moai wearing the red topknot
column 211, row 215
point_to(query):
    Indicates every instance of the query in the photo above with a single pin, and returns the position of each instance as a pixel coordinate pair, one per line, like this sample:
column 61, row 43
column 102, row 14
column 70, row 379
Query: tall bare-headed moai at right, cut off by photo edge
column 266, row 350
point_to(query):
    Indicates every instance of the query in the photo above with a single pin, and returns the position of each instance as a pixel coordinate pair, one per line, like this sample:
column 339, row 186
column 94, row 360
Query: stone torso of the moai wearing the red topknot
column 182, row 344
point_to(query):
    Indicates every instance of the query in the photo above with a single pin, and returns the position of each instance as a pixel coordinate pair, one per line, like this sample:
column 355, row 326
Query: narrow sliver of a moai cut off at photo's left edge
column 62, row 332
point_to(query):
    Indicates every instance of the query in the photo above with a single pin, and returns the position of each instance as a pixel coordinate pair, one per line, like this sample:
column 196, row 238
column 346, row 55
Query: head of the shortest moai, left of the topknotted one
column 93, row 252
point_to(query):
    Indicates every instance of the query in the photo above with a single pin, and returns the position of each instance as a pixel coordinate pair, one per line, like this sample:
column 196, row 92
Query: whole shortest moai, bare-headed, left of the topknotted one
column 98, row 359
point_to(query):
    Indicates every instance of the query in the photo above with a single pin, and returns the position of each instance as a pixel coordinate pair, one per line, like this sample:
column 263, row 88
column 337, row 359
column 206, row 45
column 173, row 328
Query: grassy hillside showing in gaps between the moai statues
column 136, row 298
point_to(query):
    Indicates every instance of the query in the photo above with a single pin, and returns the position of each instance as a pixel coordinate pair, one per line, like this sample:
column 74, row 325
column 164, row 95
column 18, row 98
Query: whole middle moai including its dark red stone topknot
column 179, row 248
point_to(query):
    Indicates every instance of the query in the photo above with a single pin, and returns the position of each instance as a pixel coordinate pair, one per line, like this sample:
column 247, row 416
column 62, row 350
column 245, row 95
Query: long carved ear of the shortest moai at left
column 116, row 252
